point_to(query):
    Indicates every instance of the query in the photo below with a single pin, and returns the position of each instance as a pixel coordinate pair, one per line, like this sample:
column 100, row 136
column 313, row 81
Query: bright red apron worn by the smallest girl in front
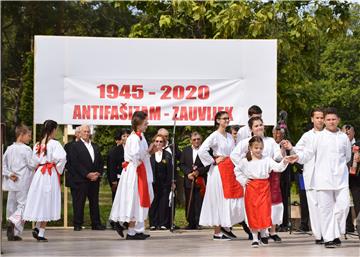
column 258, row 204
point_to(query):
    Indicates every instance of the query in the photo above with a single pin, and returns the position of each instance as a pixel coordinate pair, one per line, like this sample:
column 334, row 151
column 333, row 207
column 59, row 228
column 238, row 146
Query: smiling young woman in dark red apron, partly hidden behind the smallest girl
column 272, row 150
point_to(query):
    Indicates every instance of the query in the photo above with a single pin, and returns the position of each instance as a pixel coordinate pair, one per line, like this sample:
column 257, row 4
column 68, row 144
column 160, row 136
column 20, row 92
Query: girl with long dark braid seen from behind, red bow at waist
column 44, row 199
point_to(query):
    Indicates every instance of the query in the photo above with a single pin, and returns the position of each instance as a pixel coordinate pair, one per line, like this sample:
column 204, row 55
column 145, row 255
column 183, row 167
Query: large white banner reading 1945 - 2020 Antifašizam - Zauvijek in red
column 103, row 81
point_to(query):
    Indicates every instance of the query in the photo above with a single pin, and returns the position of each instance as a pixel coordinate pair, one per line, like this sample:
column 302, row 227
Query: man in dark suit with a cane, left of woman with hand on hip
column 194, row 173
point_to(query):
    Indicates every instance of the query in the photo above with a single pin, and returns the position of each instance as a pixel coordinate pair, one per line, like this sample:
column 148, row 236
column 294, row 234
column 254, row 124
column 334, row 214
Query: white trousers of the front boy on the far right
column 333, row 209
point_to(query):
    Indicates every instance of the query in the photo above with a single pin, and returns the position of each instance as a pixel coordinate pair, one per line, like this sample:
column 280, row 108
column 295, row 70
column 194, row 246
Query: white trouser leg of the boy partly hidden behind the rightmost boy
column 314, row 213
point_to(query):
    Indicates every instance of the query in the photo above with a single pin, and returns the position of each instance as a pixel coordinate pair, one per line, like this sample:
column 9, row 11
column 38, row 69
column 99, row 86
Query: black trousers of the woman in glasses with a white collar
column 160, row 212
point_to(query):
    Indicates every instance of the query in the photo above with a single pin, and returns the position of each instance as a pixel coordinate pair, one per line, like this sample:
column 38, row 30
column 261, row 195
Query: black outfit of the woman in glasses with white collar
column 160, row 212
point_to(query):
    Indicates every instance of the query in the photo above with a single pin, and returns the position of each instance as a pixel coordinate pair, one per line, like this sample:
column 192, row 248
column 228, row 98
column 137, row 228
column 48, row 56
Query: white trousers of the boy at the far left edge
column 15, row 208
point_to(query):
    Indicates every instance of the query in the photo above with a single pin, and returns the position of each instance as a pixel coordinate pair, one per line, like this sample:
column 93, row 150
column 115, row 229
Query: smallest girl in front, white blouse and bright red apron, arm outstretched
column 253, row 171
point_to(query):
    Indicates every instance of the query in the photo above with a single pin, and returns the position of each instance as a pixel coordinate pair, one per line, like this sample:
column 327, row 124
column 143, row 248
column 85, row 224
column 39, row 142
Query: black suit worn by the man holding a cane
column 186, row 165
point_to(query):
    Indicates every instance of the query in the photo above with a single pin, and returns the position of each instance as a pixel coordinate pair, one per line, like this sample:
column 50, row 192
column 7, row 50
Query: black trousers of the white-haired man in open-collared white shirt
column 79, row 194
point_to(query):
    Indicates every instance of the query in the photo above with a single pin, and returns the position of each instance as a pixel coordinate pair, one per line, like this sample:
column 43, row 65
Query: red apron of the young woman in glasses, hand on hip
column 231, row 187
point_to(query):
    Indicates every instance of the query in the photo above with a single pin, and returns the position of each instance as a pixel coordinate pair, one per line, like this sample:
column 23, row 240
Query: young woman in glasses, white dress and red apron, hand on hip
column 223, row 201
